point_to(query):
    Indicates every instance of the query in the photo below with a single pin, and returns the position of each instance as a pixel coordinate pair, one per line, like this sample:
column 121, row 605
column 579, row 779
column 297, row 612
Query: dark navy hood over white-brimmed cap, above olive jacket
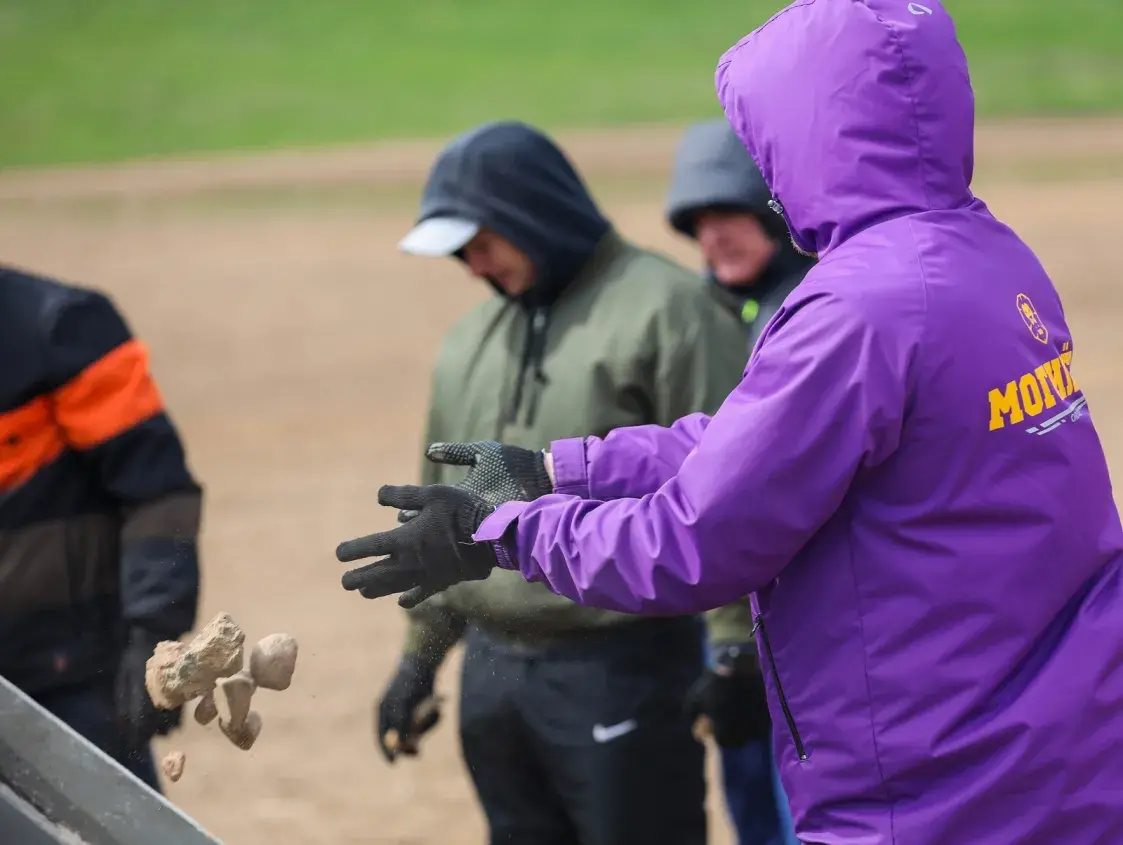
column 513, row 179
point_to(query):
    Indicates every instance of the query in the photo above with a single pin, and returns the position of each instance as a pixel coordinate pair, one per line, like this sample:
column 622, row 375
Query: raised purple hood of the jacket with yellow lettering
column 862, row 111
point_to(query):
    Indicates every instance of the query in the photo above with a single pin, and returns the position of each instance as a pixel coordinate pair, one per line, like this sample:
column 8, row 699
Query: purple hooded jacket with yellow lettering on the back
column 908, row 478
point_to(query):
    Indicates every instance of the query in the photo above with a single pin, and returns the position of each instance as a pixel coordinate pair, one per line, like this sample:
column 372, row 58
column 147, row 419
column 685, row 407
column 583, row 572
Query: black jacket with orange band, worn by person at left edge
column 99, row 513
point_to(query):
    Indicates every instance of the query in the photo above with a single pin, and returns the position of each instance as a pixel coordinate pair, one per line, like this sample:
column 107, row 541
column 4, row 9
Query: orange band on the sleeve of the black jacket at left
column 108, row 398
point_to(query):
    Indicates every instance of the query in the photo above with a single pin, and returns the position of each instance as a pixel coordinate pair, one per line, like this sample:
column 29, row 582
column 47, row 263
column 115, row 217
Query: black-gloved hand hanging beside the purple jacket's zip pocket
column 733, row 697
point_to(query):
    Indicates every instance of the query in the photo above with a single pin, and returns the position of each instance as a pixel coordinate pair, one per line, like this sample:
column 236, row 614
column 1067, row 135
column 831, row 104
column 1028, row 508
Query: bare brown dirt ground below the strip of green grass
column 294, row 343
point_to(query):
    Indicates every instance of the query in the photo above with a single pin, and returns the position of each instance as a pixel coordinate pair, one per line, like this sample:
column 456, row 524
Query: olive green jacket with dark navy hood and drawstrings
column 627, row 338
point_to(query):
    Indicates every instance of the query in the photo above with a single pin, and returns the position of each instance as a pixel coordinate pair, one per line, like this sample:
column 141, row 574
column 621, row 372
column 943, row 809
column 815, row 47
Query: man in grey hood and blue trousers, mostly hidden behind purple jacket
column 719, row 199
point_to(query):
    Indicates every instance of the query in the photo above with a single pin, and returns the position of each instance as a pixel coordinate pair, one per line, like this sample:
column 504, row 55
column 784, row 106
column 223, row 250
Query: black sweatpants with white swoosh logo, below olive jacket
column 587, row 743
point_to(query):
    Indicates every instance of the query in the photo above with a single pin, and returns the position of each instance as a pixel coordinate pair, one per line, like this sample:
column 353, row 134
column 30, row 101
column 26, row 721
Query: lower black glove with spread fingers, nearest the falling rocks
column 430, row 553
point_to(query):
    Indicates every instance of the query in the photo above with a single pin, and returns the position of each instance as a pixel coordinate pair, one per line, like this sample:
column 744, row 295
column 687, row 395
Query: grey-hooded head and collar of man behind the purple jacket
column 719, row 199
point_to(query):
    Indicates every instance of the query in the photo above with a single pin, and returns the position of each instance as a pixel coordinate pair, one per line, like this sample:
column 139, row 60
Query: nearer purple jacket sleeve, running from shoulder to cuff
column 823, row 398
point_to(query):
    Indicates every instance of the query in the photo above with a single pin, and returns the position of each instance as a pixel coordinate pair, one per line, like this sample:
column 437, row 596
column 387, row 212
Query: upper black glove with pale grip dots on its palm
column 498, row 474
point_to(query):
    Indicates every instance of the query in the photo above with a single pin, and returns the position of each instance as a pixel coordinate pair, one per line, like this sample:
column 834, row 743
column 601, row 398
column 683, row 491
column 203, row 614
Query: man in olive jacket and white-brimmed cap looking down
column 576, row 723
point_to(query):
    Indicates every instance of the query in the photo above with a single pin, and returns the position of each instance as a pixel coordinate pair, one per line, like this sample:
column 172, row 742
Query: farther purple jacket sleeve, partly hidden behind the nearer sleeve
column 629, row 462
